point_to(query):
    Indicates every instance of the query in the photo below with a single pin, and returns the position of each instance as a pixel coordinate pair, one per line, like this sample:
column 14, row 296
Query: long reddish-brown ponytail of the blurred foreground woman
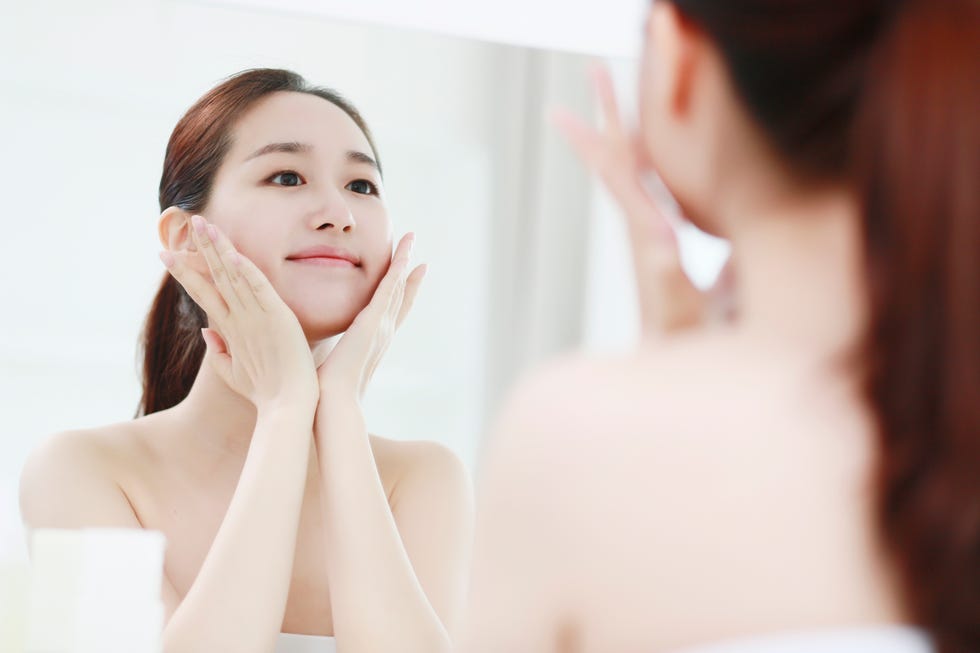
column 916, row 156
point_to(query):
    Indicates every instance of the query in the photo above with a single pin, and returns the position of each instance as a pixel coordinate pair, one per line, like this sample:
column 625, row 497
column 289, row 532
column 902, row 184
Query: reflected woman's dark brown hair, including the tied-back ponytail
column 171, row 342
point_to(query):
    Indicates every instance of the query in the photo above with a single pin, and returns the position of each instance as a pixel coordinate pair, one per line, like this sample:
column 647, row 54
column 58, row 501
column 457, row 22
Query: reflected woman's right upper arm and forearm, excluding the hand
column 397, row 573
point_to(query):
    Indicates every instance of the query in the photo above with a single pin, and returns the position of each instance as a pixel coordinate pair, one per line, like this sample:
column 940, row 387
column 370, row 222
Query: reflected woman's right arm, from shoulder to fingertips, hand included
column 396, row 572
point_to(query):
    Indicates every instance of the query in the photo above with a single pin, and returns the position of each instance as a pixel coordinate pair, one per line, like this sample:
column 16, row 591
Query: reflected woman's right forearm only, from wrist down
column 378, row 603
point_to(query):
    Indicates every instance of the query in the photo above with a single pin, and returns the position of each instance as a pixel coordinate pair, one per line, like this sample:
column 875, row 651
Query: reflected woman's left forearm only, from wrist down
column 238, row 599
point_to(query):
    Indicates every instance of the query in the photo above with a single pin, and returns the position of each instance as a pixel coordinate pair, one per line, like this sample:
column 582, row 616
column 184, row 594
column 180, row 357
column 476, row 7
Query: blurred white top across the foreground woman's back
column 869, row 639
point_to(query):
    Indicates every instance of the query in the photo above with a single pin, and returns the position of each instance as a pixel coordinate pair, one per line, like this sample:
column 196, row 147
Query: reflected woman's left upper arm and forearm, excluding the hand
column 238, row 599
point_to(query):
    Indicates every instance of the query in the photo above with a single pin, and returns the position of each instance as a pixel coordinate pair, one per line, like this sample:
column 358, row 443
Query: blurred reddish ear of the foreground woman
column 677, row 48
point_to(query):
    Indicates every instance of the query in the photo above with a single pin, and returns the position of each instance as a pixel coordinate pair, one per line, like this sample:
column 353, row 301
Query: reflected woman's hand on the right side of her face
column 349, row 366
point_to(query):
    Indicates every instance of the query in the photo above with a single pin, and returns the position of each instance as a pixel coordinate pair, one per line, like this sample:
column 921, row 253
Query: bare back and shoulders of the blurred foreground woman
column 610, row 482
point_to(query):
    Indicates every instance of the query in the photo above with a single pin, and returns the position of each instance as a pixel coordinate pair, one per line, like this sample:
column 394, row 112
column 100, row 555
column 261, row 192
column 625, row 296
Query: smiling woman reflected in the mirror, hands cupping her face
column 288, row 525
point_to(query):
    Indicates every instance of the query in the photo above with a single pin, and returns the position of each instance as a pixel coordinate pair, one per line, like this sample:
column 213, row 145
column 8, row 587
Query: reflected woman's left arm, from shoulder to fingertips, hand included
column 259, row 350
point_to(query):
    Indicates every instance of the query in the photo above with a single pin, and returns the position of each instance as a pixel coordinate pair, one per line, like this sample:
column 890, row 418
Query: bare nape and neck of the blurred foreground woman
column 798, row 262
